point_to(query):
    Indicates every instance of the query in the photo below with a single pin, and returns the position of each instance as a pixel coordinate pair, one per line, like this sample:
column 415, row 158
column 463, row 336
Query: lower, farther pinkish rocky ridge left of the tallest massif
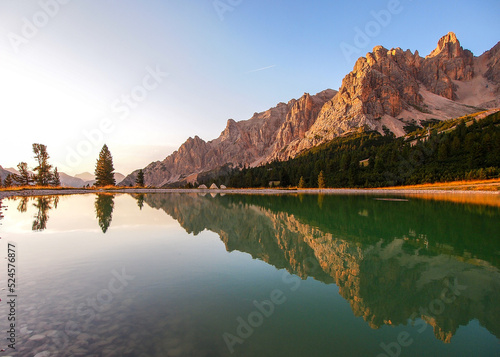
column 250, row 142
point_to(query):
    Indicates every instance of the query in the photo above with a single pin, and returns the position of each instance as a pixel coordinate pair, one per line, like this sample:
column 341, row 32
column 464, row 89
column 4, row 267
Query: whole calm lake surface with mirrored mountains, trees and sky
column 250, row 275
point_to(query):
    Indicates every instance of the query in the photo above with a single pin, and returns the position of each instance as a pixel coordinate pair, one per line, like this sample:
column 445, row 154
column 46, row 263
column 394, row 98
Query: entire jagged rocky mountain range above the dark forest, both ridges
column 385, row 89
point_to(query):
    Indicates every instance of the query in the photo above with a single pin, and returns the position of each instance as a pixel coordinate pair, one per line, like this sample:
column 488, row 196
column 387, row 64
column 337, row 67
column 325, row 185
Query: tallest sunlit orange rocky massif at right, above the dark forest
column 389, row 85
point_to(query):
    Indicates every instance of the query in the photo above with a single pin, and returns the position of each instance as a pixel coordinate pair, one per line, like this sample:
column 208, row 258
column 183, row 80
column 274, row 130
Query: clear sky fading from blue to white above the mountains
column 144, row 75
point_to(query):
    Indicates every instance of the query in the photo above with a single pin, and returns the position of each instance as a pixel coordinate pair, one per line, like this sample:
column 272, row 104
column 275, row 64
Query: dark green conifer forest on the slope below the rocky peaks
column 444, row 151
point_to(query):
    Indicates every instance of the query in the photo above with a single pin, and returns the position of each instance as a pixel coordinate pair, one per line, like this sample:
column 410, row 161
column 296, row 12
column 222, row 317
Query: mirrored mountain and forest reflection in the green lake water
column 390, row 260
